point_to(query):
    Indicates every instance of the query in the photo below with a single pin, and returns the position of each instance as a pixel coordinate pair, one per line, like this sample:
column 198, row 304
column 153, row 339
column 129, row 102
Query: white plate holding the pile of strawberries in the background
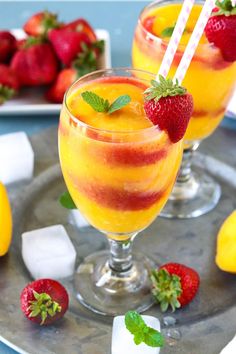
column 31, row 100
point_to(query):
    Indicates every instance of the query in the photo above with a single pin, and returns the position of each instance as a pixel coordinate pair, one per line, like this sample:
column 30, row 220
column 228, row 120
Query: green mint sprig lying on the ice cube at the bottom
column 142, row 333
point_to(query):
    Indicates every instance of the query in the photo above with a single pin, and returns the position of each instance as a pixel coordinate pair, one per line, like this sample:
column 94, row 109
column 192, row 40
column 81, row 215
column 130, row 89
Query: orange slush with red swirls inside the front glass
column 119, row 168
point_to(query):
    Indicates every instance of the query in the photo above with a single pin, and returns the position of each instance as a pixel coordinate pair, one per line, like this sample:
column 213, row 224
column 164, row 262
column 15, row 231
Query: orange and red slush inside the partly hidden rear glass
column 209, row 79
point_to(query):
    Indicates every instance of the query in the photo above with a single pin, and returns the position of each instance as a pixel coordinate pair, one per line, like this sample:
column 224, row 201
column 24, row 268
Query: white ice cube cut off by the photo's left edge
column 17, row 158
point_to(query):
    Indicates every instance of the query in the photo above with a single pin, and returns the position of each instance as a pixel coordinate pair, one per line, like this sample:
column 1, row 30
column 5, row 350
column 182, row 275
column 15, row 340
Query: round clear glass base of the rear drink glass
column 192, row 198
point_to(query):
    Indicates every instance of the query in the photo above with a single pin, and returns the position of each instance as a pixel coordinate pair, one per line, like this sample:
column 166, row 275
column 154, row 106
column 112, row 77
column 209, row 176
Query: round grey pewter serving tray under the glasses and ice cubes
column 203, row 327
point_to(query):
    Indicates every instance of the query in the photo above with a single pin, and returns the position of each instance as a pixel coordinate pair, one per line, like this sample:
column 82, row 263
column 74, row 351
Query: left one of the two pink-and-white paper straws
column 175, row 38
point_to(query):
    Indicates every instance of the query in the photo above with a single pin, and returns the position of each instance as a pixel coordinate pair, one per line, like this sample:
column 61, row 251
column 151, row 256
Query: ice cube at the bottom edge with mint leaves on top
column 122, row 339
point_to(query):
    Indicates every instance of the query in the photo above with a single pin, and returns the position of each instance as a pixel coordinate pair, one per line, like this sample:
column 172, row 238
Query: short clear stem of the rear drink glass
column 185, row 172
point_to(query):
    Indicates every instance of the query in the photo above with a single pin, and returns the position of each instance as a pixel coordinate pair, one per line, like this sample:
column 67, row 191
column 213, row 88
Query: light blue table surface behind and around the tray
column 118, row 17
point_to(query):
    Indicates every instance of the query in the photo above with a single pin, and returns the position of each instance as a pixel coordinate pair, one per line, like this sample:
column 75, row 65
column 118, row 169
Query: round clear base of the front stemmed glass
column 108, row 292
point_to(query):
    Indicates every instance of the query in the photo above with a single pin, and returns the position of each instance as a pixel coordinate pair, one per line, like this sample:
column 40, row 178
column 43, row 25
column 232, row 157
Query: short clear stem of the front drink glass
column 120, row 255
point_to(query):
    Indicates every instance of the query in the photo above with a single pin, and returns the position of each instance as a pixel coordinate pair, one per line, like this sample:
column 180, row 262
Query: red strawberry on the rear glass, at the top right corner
column 221, row 29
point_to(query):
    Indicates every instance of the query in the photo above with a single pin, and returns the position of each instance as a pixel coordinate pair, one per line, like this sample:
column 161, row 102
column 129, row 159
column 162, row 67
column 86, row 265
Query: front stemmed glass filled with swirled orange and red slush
column 120, row 181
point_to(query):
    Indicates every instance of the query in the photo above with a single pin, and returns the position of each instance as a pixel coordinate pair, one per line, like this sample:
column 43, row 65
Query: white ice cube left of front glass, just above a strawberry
column 48, row 252
